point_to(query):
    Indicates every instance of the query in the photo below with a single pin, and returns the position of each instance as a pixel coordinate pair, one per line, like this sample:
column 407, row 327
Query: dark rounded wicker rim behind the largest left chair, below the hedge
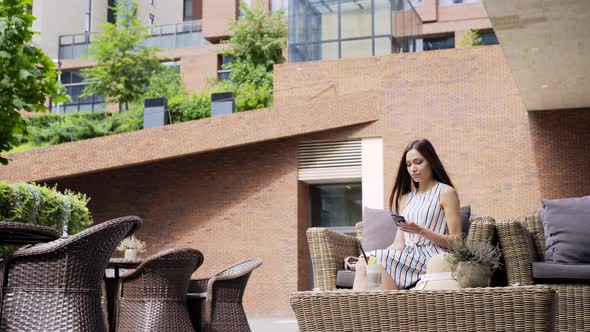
column 17, row 233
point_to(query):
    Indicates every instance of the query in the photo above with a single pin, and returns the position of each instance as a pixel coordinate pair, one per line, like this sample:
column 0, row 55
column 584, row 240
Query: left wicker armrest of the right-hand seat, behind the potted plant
column 515, row 248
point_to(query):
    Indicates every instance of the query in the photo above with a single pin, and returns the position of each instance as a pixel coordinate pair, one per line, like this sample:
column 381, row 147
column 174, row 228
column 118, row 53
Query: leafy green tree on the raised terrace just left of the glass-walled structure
column 256, row 45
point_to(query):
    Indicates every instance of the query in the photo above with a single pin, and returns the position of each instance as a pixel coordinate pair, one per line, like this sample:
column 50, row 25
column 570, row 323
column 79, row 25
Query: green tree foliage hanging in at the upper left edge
column 27, row 75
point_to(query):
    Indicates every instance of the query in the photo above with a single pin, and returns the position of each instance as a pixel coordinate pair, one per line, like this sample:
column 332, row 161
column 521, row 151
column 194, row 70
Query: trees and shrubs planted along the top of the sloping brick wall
column 257, row 43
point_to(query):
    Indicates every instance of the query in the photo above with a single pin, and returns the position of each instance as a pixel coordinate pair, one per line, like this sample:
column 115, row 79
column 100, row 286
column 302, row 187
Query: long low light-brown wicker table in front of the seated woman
column 529, row 308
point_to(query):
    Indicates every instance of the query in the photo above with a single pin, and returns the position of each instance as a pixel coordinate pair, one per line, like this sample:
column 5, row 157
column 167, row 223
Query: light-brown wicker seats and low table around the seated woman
column 518, row 302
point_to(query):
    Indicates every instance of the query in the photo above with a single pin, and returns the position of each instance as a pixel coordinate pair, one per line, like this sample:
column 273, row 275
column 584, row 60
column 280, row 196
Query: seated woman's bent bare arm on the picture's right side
column 449, row 202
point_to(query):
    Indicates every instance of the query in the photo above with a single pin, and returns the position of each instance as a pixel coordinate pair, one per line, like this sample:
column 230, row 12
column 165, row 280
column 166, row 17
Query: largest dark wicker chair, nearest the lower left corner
column 56, row 286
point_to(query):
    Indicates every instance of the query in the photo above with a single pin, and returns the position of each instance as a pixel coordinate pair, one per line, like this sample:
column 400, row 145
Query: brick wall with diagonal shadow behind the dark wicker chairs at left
column 232, row 205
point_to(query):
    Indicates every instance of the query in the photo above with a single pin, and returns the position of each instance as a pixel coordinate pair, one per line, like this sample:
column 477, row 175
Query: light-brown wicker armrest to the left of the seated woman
column 328, row 250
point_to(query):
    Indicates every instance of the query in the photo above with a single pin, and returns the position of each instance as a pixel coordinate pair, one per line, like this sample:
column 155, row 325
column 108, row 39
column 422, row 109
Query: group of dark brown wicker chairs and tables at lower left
column 60, row 284
